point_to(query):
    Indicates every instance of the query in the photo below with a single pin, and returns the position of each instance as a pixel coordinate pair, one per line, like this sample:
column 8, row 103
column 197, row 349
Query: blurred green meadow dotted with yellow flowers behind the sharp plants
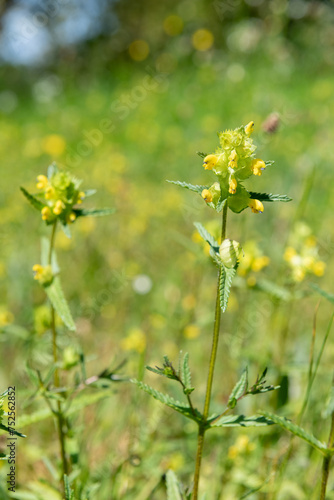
column 123, row 95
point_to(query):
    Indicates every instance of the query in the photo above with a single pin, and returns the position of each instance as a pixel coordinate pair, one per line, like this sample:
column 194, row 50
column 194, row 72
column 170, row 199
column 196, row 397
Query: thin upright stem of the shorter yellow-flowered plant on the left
column 59, row 415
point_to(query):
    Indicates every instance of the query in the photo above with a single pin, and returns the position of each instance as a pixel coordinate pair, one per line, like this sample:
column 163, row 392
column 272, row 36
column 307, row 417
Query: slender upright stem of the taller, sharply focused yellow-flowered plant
column 216, row 328
